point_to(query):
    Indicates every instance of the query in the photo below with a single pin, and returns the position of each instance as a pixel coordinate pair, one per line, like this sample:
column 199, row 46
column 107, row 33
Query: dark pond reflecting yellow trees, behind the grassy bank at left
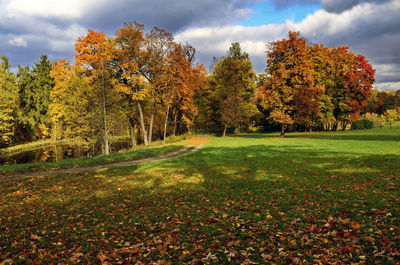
column 54, row 153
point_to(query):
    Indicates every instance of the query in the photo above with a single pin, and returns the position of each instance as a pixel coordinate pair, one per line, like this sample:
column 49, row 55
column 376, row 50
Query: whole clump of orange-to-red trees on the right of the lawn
column 314, row 86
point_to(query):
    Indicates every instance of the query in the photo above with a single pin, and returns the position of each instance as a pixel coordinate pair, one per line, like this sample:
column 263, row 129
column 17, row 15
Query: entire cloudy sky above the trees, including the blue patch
column 30, row 28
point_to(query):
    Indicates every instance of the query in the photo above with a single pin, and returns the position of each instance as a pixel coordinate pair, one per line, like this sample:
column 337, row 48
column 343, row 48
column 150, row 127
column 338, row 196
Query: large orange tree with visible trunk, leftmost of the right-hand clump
column 290, row 92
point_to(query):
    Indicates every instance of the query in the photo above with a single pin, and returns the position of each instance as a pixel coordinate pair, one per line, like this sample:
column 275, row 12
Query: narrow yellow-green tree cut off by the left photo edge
column 8, row 102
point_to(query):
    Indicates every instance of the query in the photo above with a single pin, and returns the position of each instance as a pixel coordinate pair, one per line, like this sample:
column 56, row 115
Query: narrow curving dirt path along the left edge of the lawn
column 195, row 144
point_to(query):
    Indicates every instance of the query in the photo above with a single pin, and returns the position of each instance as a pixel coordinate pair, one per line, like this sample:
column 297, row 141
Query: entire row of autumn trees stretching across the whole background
column 148, row 86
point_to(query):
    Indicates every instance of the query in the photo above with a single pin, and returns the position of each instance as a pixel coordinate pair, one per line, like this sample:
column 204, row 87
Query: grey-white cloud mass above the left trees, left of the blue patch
column 55, row 25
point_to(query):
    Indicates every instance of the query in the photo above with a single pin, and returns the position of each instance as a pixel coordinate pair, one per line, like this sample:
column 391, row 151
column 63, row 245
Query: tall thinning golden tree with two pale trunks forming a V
column 142, row 63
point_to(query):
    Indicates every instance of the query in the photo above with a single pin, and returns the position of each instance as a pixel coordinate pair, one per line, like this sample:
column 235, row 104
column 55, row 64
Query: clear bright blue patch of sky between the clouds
column 268, row 13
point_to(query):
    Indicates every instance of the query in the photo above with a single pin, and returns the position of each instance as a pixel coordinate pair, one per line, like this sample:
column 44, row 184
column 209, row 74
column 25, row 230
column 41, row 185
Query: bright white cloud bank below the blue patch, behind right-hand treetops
column 370, row 29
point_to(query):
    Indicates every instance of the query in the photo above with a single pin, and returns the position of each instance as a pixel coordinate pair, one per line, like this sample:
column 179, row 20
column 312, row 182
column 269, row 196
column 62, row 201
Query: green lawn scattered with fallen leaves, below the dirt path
column 249, row 199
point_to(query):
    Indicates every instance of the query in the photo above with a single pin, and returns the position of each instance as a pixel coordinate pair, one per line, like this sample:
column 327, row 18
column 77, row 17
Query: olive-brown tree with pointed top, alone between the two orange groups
column 233, row 82
